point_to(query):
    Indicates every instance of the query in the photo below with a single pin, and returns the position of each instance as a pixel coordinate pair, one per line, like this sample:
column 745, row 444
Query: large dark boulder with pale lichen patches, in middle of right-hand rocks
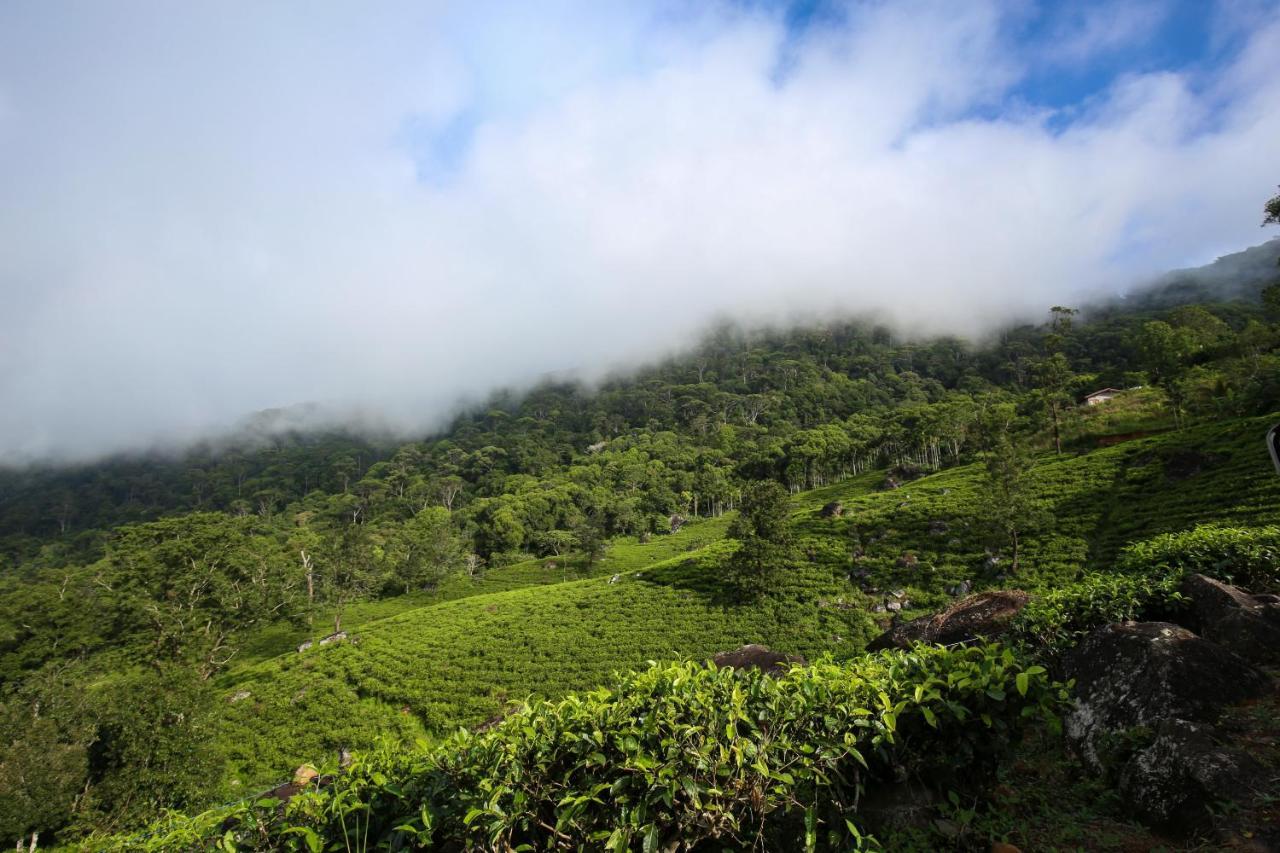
column 1137, row 674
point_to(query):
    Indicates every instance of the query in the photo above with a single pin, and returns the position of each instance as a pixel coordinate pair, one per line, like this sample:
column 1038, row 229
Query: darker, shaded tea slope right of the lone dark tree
column 930, row 536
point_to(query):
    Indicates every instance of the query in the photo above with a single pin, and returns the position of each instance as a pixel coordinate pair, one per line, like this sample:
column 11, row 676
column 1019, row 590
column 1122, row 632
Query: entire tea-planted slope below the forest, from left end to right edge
column 459, row 663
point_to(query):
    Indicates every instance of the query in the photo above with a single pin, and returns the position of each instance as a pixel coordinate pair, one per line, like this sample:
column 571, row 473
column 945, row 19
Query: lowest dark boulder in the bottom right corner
column 1173, row 783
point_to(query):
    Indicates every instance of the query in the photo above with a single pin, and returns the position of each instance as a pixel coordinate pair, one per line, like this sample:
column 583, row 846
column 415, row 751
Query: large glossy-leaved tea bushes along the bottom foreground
column 670, row 758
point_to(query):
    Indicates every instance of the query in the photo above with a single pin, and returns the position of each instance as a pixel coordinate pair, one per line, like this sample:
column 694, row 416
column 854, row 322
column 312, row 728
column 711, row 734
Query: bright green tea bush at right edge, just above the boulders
column 1245, row 556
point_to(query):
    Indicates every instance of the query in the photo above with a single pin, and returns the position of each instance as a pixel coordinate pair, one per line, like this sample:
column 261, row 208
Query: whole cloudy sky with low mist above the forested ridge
column 209, row 209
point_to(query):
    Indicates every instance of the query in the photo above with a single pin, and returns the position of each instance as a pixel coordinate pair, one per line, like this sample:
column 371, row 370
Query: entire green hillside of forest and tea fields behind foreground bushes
column 139, row 594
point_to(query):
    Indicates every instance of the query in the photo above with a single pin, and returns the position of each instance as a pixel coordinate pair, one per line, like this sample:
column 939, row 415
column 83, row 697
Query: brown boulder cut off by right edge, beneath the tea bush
column 1249, row 626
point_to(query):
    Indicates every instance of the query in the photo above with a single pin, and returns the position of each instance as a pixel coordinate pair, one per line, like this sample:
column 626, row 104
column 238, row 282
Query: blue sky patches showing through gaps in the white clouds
column 1068, row 56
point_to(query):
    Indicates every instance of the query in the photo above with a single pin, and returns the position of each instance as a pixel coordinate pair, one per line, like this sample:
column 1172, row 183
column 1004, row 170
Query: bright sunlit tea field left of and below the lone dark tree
column 460, row 663
